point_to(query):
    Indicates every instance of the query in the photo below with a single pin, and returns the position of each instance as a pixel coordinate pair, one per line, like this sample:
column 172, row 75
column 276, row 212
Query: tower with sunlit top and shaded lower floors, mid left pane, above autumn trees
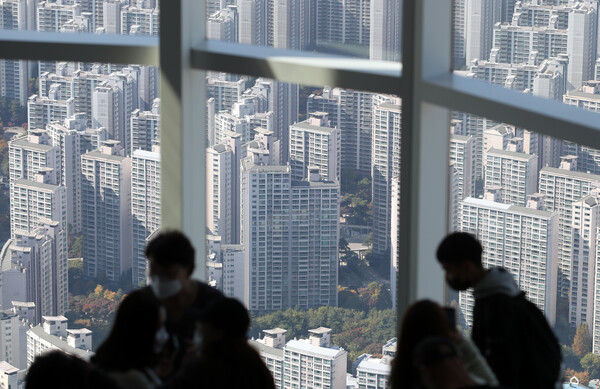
column 106, row 211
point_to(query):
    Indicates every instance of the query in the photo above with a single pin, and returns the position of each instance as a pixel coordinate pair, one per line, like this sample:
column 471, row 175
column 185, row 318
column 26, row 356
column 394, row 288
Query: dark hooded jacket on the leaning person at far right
column 503, row 333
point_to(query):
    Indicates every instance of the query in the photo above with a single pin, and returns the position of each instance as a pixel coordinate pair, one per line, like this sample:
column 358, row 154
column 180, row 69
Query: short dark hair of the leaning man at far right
column 458, row 247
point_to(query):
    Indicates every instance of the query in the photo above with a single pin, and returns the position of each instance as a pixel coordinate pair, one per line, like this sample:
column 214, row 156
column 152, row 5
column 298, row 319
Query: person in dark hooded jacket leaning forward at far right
column 511, row 332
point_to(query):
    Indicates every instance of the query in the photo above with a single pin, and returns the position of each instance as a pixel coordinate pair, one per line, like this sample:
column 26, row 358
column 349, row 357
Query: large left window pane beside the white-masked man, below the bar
column 80, row 164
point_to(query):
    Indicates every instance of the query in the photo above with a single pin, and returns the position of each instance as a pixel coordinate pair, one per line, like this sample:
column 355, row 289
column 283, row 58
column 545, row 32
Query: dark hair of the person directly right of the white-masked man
column 227, row 314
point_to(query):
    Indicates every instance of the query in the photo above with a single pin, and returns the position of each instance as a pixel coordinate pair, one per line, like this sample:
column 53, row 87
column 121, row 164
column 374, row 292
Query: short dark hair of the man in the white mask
column 171, row 248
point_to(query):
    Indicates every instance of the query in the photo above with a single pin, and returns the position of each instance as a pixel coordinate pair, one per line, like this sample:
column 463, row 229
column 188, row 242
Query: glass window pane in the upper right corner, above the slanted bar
column 546, row 48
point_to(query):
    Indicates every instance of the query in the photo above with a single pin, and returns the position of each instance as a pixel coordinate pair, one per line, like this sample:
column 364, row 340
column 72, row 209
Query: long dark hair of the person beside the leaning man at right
column 421, row 320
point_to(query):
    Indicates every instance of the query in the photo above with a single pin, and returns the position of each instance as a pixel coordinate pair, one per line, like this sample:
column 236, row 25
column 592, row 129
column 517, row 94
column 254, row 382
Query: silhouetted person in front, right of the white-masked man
column 225, row 360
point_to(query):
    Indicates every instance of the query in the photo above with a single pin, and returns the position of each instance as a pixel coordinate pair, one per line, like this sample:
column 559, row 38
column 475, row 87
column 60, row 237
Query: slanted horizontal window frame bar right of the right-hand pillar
column 544, row 116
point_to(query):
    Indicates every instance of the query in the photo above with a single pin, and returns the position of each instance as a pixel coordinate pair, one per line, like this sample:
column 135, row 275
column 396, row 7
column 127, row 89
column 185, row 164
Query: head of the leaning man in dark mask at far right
column 460, row 255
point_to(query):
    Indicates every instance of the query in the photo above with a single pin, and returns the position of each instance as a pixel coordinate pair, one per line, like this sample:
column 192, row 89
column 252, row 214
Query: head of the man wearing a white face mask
column 171, row 263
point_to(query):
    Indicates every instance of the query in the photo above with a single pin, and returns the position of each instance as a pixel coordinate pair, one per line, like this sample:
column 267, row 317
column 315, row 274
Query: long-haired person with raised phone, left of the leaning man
column 424, row 319
